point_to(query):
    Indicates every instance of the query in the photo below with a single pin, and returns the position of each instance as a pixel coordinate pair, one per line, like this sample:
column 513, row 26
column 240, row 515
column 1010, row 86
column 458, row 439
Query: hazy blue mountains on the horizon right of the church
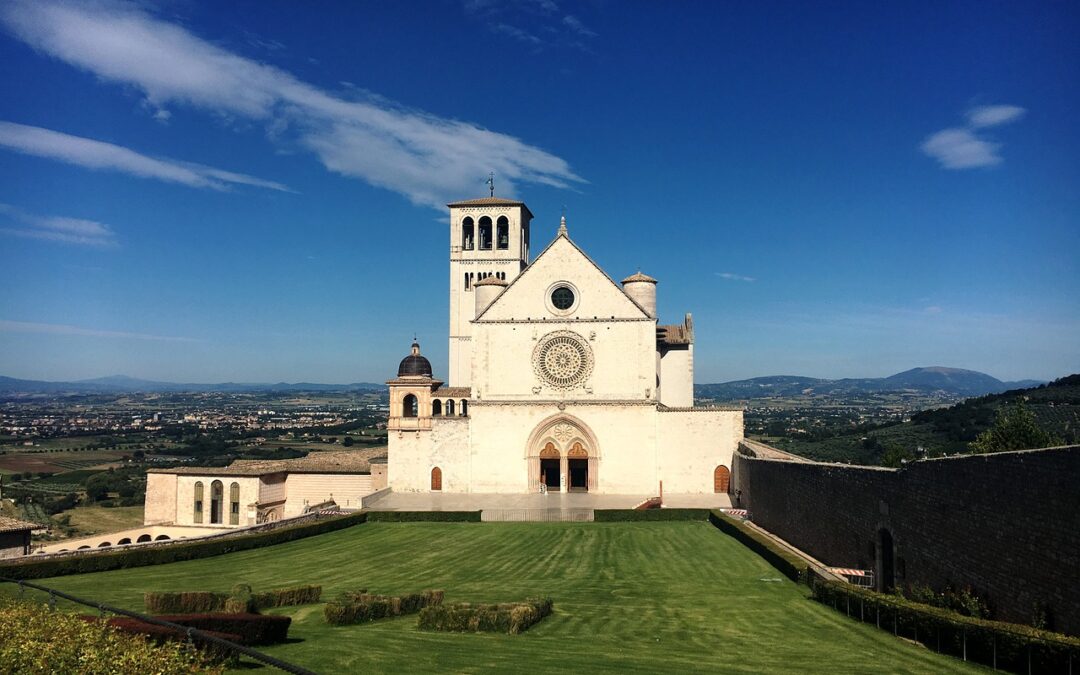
column 956, row 382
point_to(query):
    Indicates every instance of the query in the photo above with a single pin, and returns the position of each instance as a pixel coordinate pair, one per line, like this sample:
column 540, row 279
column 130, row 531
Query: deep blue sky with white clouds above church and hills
column 253, row 192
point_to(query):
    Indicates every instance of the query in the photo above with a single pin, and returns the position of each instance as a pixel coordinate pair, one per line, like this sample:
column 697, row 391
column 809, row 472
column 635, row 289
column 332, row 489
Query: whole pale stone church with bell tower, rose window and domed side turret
column 560, row 379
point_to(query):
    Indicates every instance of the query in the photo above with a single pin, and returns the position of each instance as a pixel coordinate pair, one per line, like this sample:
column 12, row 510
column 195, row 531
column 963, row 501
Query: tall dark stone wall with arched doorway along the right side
column 1008, row 524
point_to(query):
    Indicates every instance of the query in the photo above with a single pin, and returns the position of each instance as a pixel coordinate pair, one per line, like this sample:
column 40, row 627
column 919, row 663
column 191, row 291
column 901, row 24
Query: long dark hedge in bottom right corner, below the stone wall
column 1003, row 646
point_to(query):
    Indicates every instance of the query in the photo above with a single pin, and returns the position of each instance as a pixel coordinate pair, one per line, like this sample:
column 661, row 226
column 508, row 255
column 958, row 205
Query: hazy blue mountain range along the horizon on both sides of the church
column 954, row 382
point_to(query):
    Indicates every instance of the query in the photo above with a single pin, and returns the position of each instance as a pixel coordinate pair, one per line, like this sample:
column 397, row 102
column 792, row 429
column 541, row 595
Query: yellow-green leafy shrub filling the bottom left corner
column 36, row 640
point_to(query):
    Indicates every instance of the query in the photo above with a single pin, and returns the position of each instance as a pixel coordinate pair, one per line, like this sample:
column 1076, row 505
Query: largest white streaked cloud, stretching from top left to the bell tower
column 427, row 158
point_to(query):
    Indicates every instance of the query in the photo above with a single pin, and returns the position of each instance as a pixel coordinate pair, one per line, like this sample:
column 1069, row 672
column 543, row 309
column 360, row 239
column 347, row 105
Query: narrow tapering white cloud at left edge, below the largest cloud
column 99, row 155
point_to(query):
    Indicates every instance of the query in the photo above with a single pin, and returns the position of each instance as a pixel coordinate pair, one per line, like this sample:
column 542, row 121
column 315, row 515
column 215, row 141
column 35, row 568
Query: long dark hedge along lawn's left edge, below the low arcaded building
column 140, row 557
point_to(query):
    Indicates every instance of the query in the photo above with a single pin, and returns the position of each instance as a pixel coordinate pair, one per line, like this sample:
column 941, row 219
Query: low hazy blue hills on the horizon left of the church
column 123, row 384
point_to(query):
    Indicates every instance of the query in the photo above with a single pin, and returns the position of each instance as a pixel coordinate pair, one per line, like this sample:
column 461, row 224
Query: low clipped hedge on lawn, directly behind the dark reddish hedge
column 239, row 601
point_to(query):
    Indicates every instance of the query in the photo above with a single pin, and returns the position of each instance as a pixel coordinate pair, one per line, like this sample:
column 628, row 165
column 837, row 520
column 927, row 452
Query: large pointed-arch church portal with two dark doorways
column 565, row 443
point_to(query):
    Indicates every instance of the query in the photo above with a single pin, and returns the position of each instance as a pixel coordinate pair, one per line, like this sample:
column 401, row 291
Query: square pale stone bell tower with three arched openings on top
column 490, row 237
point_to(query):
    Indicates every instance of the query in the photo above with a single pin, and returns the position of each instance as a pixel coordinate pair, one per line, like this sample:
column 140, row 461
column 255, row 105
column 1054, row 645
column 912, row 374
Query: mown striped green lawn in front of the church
column 629, row 598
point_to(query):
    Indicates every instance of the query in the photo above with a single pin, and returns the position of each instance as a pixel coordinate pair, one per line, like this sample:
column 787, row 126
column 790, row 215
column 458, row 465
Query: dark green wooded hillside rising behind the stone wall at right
column 1056, row 407
